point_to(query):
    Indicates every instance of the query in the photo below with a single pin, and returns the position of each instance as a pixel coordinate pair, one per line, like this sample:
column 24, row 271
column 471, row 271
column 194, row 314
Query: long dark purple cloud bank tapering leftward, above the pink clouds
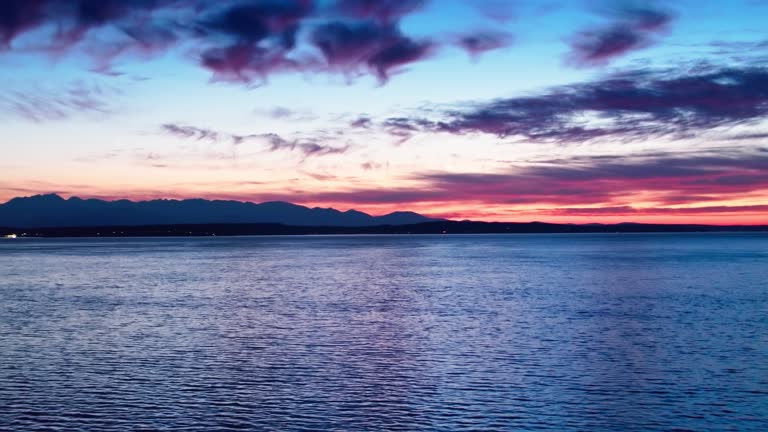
column 626, row 106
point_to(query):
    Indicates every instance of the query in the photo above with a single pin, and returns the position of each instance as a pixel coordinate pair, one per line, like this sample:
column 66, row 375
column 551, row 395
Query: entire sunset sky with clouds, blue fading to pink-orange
column 503, row 110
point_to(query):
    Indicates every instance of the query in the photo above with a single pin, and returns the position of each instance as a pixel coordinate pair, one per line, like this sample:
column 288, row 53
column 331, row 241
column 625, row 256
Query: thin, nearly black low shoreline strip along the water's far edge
column 446, row 227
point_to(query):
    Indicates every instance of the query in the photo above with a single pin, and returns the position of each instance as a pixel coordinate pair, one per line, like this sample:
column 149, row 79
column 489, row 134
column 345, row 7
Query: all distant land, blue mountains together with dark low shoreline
column 54, row 216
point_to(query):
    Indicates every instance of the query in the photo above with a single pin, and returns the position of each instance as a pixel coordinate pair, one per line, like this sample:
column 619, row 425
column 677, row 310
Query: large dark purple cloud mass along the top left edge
column 241, row 41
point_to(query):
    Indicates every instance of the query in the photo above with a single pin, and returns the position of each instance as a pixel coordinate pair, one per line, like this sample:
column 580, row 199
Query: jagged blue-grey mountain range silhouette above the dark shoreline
column 52, row 210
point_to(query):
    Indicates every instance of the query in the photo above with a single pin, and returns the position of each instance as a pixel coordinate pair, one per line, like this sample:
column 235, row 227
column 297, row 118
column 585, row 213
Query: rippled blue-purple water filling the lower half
column 520, row 332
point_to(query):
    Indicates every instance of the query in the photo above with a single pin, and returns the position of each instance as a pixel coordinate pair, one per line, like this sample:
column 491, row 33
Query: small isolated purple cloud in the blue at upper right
column 634, row 26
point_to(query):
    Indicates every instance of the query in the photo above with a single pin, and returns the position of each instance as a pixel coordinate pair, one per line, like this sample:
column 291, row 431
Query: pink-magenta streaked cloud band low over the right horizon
column 662, row 177
